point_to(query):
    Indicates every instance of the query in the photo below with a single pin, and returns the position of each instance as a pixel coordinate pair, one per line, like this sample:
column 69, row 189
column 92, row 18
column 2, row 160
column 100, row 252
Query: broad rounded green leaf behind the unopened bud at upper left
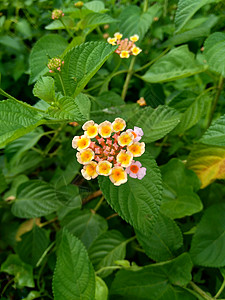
column 49, row 46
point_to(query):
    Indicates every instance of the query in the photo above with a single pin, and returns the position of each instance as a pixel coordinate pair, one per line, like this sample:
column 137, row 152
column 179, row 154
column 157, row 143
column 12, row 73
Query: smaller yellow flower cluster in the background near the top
column 126, row 47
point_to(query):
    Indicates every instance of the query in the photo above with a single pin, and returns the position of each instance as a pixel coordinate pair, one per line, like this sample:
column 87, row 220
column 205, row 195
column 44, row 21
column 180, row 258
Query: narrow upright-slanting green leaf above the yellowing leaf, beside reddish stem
column 193, row 113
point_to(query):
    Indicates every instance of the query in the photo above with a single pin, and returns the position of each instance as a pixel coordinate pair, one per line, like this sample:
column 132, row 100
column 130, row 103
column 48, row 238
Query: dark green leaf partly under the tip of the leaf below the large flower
column 163, row 242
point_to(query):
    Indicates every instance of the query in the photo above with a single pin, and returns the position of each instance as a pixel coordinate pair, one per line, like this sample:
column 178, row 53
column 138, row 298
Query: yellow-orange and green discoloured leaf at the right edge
column 208, row 163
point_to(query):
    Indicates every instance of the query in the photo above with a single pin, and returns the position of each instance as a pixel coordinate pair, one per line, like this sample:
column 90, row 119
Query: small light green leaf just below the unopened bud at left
column 44, row 89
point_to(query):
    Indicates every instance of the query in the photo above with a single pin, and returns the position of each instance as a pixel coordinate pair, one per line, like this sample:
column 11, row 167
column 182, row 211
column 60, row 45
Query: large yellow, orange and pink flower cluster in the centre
column 112, row 151
